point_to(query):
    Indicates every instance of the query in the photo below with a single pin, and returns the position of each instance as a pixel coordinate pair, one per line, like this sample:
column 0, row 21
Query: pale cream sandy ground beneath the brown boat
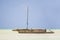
column 11, row 35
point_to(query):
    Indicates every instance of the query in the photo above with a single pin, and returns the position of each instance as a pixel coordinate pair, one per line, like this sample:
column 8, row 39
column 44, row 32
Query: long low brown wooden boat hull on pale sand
column 43, row 31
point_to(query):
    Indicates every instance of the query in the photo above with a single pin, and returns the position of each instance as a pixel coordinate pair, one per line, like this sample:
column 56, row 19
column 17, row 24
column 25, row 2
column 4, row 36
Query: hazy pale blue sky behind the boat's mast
column 42, row 14
